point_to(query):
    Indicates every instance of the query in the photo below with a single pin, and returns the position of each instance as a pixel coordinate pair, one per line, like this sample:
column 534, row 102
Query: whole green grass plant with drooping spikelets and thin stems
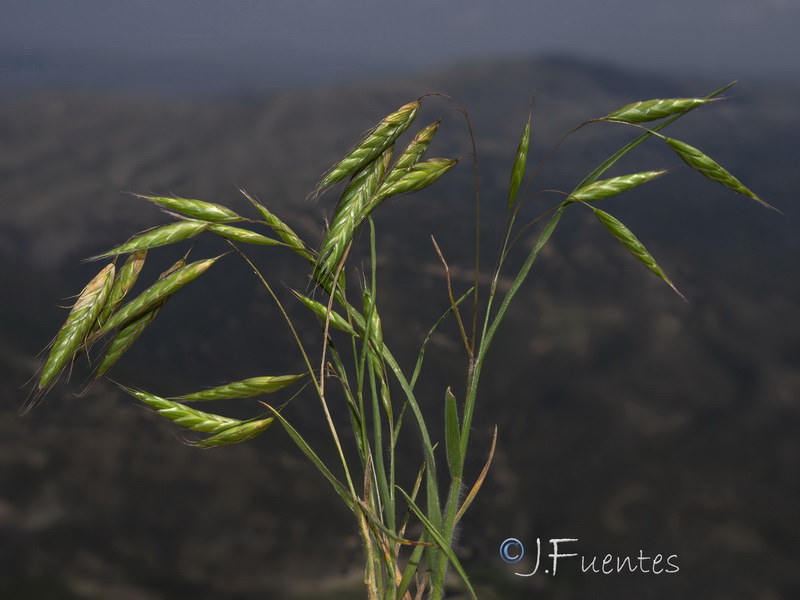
column 381, row 399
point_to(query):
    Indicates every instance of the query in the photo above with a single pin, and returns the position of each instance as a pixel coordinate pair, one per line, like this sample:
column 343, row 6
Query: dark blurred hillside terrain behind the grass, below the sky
column 628, row 419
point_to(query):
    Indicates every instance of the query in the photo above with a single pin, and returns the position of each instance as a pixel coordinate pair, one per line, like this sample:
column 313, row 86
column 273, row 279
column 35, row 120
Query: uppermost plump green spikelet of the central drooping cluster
column 379, row 139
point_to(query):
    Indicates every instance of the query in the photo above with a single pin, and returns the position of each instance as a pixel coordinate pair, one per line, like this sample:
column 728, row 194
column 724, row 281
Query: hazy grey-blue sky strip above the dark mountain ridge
column 250, row 42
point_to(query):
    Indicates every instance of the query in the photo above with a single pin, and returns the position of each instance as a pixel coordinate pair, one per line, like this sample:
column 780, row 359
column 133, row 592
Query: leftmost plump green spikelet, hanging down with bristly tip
column 79, row 324
